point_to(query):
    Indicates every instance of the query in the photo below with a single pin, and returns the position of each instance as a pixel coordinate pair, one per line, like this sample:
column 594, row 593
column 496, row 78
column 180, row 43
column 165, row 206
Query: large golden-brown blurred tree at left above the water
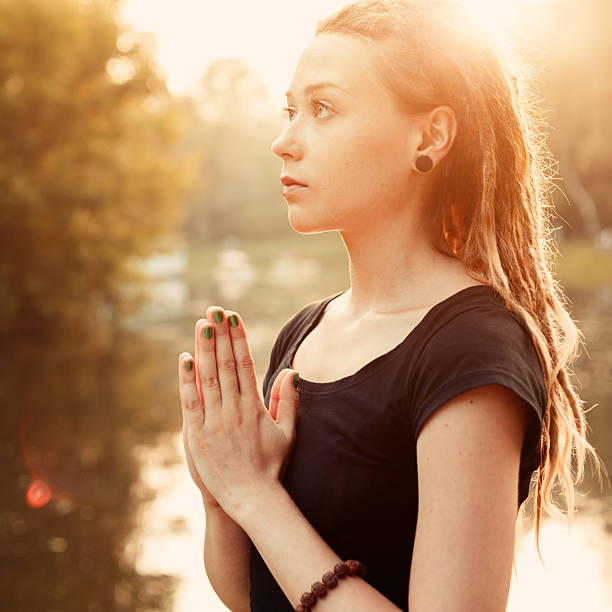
column 89, row 174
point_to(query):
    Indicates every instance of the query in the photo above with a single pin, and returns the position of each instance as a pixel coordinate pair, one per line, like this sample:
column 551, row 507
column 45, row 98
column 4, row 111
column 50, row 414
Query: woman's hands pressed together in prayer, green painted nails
column 235, row 448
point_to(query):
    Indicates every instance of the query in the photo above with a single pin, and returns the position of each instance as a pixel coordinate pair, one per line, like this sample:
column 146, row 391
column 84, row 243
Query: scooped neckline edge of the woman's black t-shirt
column 369, row 368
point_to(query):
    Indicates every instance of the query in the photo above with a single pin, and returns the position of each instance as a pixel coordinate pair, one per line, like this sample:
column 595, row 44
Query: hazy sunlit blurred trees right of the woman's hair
column 573, row 45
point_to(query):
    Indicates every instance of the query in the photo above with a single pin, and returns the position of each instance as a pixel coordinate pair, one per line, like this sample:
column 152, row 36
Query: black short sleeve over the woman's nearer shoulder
column 480, row 347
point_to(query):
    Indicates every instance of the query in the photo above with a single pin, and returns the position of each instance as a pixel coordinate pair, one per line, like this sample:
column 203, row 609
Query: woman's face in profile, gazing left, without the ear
column 348, row 143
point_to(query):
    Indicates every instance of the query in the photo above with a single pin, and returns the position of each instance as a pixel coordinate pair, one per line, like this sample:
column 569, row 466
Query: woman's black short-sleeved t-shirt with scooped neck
column 353, row 471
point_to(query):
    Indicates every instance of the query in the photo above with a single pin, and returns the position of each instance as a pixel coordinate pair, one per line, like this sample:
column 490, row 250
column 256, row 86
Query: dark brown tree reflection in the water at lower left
column 73, row 409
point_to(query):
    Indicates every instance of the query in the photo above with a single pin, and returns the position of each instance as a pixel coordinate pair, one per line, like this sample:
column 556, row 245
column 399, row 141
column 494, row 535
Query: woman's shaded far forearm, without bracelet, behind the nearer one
column 227, row 559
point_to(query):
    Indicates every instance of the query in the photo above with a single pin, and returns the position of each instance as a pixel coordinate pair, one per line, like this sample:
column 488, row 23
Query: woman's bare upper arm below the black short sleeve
column 468, row 458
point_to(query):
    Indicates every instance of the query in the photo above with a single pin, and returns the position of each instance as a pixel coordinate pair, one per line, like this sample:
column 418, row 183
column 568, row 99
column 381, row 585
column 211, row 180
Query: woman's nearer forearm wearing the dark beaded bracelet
column 297, row 556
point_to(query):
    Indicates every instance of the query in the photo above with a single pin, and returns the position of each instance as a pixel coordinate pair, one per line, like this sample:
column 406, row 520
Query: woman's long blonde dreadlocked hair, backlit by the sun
column 489, row 206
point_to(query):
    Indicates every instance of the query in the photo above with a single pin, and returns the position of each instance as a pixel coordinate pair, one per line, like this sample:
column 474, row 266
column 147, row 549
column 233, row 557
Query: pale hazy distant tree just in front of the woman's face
column 234, row 126
